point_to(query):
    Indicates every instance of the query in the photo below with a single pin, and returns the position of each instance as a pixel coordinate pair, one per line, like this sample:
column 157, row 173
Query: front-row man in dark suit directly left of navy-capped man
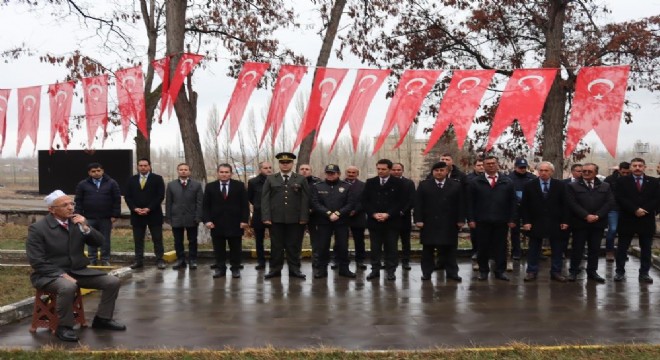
column 492, row 210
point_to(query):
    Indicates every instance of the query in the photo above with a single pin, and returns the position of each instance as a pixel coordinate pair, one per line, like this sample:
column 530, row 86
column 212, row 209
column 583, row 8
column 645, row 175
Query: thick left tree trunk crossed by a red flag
column 185, row 105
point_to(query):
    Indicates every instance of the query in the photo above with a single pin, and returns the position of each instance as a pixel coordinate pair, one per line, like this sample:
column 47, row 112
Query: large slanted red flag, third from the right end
column 460, row 104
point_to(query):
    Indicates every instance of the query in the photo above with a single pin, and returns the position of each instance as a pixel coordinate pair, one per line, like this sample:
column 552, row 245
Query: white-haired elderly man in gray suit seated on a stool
column 55, row 249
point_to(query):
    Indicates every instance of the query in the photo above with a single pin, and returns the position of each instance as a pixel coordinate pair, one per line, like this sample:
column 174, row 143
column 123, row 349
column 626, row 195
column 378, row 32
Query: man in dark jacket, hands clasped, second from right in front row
column 590, row 200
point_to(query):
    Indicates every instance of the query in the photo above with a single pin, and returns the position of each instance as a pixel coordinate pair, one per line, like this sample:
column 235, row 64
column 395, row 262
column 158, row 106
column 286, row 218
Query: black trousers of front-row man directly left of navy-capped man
column 492, row 244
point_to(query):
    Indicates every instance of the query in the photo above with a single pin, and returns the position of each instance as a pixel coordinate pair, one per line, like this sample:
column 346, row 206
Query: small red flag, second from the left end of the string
column 29, row 101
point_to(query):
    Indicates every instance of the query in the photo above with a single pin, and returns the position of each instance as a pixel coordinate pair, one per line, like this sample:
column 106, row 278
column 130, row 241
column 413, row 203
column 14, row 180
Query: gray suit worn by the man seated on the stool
column 54, row 251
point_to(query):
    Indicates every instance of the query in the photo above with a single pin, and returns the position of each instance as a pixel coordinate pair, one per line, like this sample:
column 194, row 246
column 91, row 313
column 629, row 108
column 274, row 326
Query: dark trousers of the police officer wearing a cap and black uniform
column 324, row 238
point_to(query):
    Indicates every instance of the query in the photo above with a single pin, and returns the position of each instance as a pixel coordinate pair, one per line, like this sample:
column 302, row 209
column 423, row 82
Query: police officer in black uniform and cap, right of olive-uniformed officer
column 332, row 203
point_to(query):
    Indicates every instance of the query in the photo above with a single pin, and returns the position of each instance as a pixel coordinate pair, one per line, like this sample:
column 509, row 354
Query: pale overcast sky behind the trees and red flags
column 18, row 26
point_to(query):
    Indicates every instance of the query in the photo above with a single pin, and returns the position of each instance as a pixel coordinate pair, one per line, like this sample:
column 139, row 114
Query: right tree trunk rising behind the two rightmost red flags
column 555, row 105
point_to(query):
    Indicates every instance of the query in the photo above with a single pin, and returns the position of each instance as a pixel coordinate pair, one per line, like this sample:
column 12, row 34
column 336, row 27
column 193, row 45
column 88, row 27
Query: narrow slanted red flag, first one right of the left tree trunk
column 248, row 79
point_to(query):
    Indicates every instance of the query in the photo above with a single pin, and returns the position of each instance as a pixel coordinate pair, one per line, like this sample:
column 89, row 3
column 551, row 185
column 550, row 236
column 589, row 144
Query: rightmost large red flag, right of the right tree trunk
column 597, row 105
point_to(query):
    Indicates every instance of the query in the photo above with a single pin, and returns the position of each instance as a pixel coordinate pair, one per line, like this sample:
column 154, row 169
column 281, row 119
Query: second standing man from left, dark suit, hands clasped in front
column 145, row 193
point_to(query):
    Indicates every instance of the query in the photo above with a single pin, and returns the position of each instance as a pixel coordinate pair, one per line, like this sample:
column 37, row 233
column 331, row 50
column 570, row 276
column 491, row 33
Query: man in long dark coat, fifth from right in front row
column 439, row 214
